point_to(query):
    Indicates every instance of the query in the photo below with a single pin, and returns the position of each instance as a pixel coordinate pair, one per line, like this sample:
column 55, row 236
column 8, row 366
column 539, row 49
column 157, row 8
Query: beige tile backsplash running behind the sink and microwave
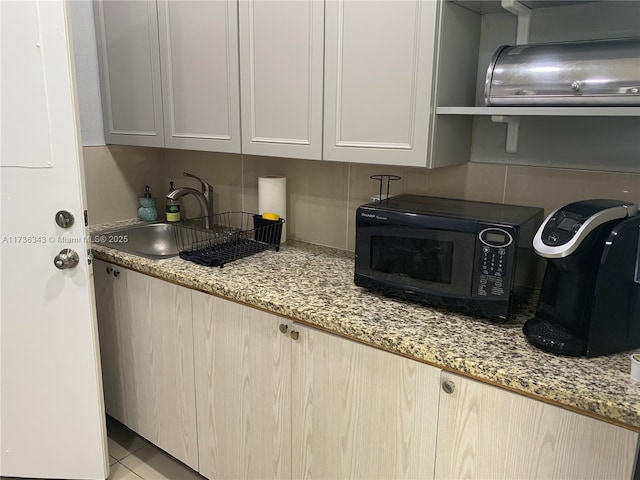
column 322, row 196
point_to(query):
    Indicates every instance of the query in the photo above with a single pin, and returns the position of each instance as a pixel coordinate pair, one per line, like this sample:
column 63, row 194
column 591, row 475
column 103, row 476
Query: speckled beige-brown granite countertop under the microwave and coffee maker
column 314, row 285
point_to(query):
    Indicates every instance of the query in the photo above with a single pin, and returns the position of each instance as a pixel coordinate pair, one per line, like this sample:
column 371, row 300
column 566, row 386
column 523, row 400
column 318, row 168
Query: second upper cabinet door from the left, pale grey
column 199, row 52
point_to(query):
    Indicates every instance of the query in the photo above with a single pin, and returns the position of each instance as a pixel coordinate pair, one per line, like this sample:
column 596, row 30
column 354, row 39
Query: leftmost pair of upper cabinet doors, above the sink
column 169, row 73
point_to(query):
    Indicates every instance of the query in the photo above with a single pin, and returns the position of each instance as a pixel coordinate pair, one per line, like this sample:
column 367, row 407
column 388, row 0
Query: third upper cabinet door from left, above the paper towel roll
column 281, row 71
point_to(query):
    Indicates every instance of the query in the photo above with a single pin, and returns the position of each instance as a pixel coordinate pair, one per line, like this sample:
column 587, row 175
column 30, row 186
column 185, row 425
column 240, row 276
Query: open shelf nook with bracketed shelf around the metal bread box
column 471, row 31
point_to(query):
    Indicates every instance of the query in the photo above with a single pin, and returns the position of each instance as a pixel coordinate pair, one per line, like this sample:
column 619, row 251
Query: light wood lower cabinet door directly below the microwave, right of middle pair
column 360, row 412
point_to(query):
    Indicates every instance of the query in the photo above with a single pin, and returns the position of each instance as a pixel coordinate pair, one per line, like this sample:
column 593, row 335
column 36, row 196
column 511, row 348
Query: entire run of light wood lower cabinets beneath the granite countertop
column 276, row 399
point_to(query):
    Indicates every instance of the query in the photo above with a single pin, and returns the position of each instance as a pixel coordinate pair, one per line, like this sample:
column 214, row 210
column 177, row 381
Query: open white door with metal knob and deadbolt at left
column 51, row 420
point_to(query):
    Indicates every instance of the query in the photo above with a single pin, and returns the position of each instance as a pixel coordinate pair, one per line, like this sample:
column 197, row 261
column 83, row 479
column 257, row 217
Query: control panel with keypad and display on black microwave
column 494, row 247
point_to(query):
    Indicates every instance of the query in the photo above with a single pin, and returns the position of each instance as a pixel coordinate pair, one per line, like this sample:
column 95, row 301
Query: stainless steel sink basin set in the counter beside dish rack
column 150, row 240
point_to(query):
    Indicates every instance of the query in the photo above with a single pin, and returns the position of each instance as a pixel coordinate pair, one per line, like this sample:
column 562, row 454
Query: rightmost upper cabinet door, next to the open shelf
column 379, row 58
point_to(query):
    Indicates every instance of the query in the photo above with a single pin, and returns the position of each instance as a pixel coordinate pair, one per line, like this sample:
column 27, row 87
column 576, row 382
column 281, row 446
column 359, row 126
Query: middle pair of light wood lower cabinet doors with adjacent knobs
column 279, row 400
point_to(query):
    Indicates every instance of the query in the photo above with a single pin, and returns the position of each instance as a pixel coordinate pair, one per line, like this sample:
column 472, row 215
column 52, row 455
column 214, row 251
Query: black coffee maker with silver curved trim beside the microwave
column 590, row 298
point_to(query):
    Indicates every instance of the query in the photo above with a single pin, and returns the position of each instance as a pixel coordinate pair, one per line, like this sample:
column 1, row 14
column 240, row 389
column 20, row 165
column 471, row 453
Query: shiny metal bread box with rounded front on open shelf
column 598, row 72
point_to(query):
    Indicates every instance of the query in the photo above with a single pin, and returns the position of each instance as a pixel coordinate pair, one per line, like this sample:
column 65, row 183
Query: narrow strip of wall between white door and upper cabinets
column 87, row 78
